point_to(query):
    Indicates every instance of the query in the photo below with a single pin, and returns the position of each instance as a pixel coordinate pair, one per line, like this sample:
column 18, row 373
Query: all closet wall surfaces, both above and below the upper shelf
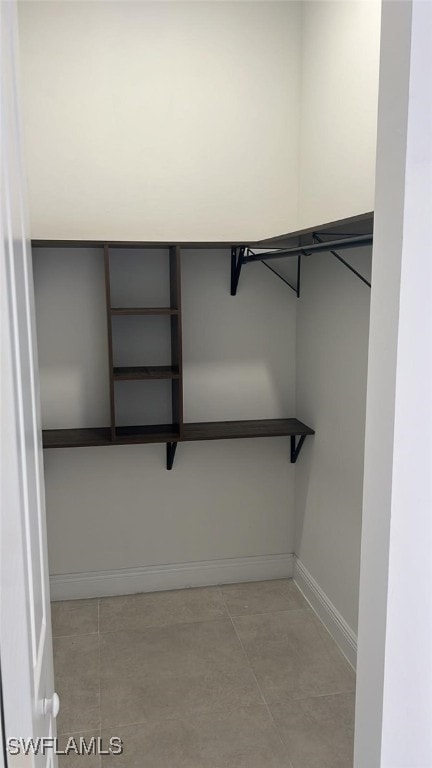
column 206, row 120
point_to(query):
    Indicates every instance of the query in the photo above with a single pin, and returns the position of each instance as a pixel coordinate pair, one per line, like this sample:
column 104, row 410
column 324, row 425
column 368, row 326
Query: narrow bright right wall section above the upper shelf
column 339, row 95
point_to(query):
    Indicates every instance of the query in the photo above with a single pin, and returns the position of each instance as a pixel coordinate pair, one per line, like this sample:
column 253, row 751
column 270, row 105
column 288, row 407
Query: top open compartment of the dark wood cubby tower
column 140, row 281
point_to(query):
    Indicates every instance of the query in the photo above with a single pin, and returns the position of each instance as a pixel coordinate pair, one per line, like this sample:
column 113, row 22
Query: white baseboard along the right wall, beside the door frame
column 336, row 625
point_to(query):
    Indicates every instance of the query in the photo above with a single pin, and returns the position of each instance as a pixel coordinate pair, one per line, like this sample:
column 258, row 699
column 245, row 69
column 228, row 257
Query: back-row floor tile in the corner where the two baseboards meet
column 262, row 597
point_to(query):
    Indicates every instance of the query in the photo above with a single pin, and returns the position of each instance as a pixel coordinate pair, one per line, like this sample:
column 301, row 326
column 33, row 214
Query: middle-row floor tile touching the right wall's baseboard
column 290, row 657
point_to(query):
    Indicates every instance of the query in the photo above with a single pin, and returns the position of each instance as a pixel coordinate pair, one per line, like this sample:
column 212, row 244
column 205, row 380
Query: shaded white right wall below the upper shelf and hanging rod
column 332, row 341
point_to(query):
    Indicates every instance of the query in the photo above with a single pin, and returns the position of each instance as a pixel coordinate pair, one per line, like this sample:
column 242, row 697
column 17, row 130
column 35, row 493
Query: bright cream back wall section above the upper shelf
column 161, row 120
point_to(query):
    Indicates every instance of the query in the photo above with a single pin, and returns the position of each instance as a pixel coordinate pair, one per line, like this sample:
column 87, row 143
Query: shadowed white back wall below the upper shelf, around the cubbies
column 118, row 507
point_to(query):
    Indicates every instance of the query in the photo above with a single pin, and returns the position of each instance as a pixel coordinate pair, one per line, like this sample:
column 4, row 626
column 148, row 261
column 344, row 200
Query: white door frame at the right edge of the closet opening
column 394, row 667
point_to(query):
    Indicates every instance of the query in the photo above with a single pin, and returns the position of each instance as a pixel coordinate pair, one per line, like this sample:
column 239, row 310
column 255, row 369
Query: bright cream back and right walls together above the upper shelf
column 186, row 120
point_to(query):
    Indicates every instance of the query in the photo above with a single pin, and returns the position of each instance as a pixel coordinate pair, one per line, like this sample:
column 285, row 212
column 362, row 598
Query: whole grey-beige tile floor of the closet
column 239, row 676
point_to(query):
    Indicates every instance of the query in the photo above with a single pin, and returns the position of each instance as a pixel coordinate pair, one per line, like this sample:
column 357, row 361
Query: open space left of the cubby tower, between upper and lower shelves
column 72, row 348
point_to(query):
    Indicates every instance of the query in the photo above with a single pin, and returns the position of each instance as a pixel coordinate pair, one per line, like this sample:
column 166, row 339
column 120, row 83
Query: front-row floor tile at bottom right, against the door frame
column 318, row 732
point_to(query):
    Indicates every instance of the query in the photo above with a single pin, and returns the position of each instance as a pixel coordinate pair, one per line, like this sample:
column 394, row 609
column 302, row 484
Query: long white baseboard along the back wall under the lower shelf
column 153, row 578
